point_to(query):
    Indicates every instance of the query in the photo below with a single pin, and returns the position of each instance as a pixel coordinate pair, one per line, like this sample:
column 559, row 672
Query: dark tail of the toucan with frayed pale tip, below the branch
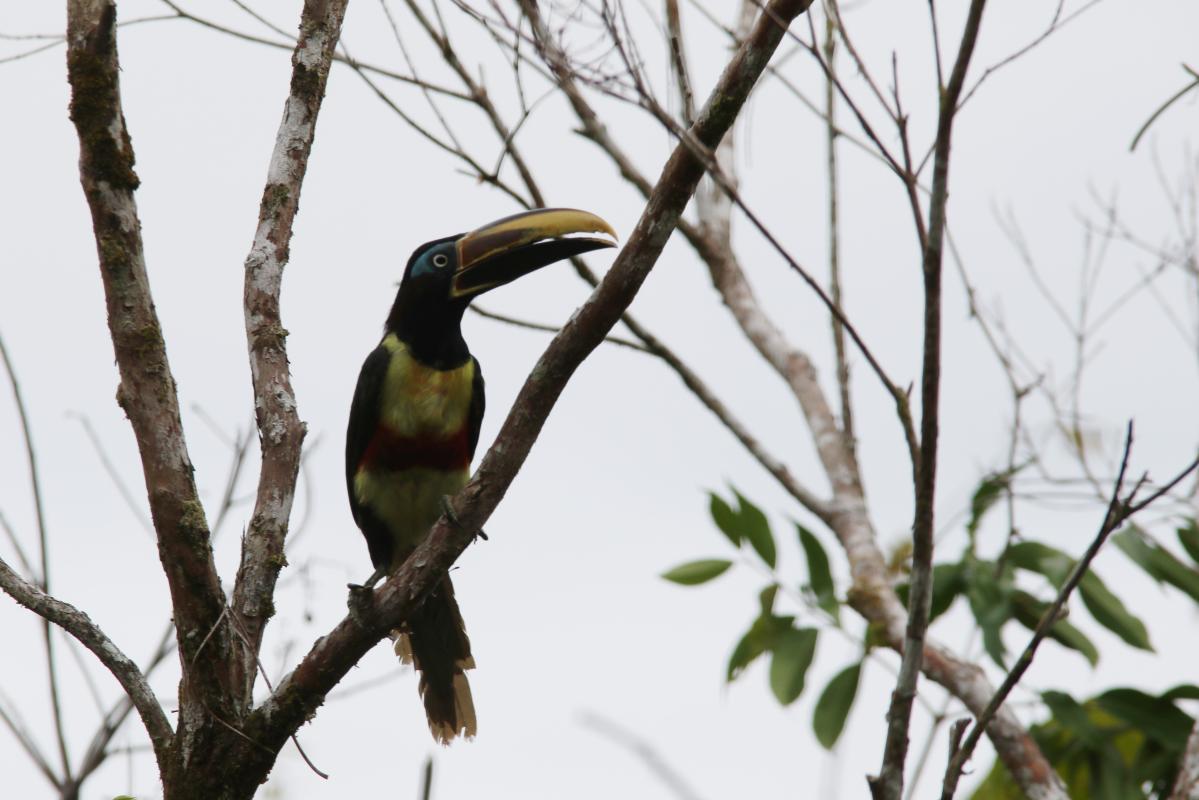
column 435, row 642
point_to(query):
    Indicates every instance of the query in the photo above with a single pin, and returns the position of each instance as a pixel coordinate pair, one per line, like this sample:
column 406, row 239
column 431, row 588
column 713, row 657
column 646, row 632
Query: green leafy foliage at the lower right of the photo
column 1120, row 745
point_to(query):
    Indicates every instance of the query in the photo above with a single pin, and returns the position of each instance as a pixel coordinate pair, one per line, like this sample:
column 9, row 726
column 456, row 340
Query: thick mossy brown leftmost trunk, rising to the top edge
column 147, row 390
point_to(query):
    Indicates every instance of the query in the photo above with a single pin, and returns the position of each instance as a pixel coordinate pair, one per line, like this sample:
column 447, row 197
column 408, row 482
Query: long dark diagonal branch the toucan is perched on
column 304, row 690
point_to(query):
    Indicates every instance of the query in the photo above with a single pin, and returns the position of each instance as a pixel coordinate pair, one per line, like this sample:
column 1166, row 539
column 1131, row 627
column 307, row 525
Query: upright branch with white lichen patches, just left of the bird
column 281, row 432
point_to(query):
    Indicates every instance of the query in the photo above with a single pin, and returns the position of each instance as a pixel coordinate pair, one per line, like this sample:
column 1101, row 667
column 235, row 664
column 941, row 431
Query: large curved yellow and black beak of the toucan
column 505, row 250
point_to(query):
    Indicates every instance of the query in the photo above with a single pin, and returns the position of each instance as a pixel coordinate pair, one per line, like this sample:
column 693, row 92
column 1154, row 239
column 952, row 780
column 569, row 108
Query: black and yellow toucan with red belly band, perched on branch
column 415, row 420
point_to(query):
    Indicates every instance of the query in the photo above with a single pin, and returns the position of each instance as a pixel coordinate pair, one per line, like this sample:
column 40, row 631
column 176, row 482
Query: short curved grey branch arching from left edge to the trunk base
column 81, row 627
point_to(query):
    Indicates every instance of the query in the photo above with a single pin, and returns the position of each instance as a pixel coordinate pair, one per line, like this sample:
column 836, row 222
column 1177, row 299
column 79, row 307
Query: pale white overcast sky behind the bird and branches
column 564, row 605
